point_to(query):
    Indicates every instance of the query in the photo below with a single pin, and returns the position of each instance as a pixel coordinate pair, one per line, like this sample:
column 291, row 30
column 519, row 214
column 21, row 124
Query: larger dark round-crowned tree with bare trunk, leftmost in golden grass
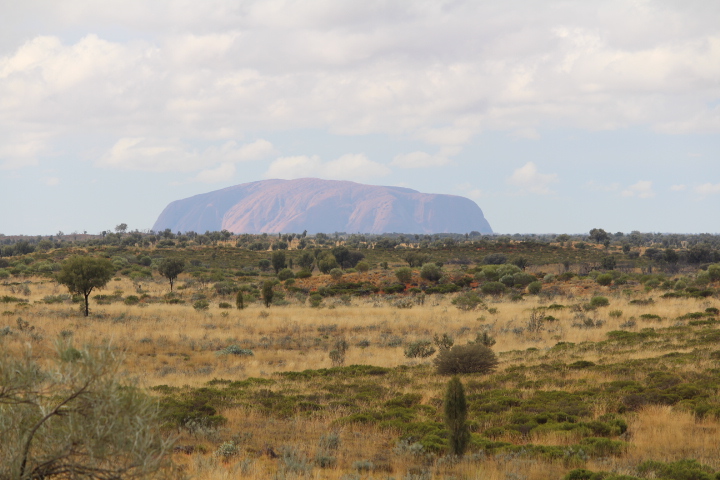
column 81, row 275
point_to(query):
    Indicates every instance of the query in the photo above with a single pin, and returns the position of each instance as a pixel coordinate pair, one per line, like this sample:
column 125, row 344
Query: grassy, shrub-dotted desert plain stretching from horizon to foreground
column 576, row 358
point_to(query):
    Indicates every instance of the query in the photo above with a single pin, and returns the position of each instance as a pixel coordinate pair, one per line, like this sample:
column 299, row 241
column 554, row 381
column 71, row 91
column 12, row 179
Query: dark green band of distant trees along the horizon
column 669, row 248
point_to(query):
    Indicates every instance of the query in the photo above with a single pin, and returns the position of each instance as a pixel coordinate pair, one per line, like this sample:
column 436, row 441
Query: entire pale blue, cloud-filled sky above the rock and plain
column 553, row 116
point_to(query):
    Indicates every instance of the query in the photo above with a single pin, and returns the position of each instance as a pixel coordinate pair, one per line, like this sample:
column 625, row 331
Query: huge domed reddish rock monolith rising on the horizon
column 275, row 206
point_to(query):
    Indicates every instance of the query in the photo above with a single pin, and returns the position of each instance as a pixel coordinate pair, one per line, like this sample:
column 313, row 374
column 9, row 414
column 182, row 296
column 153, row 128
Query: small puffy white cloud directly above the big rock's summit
column 346, row 167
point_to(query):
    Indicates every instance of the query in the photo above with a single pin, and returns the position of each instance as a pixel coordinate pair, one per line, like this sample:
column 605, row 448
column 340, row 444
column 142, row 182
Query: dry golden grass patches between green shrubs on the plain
column 175, row 345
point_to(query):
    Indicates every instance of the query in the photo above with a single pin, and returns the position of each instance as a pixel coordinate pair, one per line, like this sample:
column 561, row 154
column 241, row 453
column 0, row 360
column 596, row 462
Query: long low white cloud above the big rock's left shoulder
column 147, row 154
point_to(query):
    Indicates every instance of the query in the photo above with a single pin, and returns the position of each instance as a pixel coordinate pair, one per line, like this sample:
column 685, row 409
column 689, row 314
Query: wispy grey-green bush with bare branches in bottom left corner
column 75, row 419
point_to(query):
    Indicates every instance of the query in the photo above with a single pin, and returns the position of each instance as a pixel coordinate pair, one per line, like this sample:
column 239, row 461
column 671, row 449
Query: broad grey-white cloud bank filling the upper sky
column 436, row 71
